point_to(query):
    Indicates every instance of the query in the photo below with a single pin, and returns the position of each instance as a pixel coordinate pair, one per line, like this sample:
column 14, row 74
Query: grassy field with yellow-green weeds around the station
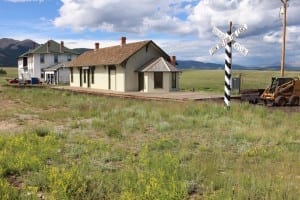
column 59, row 145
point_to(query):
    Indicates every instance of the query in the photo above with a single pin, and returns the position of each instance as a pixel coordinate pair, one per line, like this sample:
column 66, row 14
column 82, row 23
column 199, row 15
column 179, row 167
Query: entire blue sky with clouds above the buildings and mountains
column 180, row 27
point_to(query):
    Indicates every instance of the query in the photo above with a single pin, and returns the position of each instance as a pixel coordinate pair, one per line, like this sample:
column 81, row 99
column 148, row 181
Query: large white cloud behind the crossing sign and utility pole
column 263, row 37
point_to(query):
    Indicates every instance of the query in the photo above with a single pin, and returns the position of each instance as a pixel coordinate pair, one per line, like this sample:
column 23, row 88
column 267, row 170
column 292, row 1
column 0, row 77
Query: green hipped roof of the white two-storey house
column 49, row 47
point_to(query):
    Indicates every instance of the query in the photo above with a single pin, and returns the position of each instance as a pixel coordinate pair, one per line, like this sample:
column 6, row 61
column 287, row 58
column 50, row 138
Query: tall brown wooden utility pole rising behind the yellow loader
column 284, row 2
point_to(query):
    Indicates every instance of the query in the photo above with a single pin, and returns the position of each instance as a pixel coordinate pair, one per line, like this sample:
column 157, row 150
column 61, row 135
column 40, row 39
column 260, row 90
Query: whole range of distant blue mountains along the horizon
column 11, row 49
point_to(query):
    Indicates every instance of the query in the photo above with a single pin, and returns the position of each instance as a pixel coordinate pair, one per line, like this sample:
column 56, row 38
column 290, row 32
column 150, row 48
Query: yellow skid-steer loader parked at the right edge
column 282, row 91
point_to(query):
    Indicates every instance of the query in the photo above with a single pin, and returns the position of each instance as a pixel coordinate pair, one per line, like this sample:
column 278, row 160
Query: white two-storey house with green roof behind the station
column 46, row 62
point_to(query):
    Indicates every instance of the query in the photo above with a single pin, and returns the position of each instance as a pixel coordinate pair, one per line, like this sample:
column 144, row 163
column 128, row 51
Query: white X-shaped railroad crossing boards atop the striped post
column 225, row 38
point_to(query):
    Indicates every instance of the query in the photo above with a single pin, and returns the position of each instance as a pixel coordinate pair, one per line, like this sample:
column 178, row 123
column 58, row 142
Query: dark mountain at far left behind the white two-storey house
column 11, row 49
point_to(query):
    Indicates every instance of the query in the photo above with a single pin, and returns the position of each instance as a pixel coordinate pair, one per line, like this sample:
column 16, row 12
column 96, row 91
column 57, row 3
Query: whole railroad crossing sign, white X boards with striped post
column 228, row 41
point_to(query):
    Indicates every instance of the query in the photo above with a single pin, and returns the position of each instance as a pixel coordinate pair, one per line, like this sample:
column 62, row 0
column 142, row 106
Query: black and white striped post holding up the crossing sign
column 228, row 61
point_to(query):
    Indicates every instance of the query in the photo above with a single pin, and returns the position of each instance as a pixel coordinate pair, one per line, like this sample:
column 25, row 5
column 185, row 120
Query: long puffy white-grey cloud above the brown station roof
column 124, row 16
